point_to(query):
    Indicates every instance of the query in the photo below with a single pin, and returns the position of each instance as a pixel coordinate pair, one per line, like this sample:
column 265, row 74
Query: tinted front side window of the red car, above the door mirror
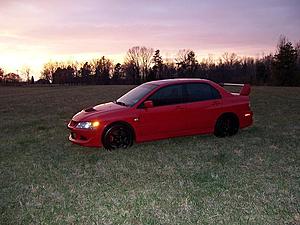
column 169, row 95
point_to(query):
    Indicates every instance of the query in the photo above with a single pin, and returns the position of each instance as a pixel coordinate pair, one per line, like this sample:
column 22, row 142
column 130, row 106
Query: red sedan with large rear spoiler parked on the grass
column 163, row 109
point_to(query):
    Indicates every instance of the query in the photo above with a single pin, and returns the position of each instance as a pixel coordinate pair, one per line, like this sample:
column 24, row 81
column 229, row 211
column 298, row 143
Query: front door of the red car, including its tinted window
column 167, row 116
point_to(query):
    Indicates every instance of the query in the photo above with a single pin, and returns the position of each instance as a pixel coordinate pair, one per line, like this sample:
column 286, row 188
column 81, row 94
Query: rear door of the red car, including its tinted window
column 203, row 107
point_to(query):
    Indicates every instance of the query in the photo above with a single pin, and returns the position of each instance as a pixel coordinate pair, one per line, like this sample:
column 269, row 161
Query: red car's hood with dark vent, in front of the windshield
column 98, row 110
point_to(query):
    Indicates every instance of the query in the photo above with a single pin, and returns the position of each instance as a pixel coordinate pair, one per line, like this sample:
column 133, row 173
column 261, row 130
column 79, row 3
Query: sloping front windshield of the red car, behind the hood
column 136, row 94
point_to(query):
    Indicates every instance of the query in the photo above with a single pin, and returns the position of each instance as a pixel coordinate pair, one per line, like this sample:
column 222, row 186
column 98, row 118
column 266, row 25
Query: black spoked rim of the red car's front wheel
column 118, row 137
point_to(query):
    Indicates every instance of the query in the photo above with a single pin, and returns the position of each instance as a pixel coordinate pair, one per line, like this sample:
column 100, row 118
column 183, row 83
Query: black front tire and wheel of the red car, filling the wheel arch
column 117, row 136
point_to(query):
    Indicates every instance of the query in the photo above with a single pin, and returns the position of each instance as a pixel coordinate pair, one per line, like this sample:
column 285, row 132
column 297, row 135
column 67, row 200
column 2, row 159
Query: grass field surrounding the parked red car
column 251, row 178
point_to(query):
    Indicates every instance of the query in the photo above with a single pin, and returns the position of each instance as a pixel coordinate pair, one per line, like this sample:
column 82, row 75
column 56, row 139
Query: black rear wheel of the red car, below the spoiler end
column 226, row 125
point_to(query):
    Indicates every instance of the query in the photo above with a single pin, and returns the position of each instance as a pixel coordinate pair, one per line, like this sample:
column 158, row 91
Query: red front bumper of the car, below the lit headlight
column 83, row 137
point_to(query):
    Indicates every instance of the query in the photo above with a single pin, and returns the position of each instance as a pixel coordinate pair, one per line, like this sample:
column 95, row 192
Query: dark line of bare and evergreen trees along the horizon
column 144, row 64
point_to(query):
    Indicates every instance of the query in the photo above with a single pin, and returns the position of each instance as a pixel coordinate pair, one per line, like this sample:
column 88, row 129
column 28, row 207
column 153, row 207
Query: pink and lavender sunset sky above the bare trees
column 33, row 32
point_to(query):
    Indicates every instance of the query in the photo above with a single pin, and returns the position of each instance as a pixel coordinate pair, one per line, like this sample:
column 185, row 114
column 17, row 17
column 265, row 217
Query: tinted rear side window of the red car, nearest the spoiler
column 201, row 92
